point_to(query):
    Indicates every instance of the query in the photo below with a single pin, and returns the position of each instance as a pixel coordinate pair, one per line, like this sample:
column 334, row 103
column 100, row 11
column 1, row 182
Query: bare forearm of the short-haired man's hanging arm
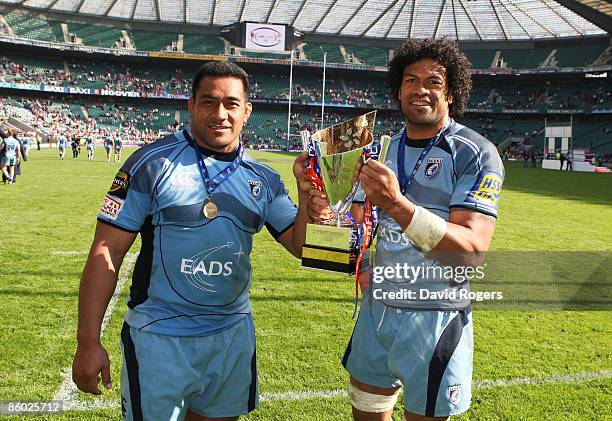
column 98, row 284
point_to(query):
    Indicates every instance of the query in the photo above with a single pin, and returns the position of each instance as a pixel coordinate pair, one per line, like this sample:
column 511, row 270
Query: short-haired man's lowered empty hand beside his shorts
column 90, row 365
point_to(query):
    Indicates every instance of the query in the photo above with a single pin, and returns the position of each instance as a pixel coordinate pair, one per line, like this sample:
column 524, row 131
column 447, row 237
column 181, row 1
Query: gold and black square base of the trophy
column 328, row 247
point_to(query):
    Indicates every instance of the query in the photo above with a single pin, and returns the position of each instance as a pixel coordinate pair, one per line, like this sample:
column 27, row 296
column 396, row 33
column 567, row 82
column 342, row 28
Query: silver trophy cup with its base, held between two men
column 334, row 244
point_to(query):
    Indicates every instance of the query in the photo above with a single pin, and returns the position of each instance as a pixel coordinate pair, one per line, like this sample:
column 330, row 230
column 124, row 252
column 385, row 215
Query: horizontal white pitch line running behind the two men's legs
column 334, row 393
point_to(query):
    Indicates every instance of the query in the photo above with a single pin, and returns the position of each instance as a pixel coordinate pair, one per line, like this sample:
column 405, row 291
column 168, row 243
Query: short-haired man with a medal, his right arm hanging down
column 197, row 199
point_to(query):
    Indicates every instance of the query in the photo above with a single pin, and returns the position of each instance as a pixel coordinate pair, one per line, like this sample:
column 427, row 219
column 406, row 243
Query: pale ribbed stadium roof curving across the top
column 388, row 19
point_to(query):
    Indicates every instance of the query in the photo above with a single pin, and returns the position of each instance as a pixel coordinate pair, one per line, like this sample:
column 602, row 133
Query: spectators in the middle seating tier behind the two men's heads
column 170, row 80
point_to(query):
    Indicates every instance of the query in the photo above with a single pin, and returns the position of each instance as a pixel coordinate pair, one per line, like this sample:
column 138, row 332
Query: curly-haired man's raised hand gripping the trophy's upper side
column 380, row 184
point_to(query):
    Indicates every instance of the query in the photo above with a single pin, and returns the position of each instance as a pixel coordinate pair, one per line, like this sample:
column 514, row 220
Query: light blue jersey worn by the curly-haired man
column 465, row 171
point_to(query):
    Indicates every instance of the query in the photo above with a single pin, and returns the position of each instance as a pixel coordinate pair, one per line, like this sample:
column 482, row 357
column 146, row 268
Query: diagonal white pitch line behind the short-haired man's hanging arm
column 68, row 391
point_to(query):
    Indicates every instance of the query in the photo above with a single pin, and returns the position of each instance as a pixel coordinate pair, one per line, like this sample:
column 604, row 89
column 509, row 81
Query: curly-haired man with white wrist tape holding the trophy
column 437, row 197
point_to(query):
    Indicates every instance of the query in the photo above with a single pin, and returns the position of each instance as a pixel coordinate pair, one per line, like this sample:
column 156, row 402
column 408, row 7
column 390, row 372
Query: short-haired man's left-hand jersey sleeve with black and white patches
column 128, row 202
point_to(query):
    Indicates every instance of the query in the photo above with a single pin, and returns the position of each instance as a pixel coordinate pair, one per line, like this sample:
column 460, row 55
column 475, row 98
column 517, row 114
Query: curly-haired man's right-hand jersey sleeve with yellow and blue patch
column 480, row 182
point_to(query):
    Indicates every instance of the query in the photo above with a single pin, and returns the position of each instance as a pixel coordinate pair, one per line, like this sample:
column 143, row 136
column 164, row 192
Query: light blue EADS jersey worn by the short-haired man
column 193, row 275
